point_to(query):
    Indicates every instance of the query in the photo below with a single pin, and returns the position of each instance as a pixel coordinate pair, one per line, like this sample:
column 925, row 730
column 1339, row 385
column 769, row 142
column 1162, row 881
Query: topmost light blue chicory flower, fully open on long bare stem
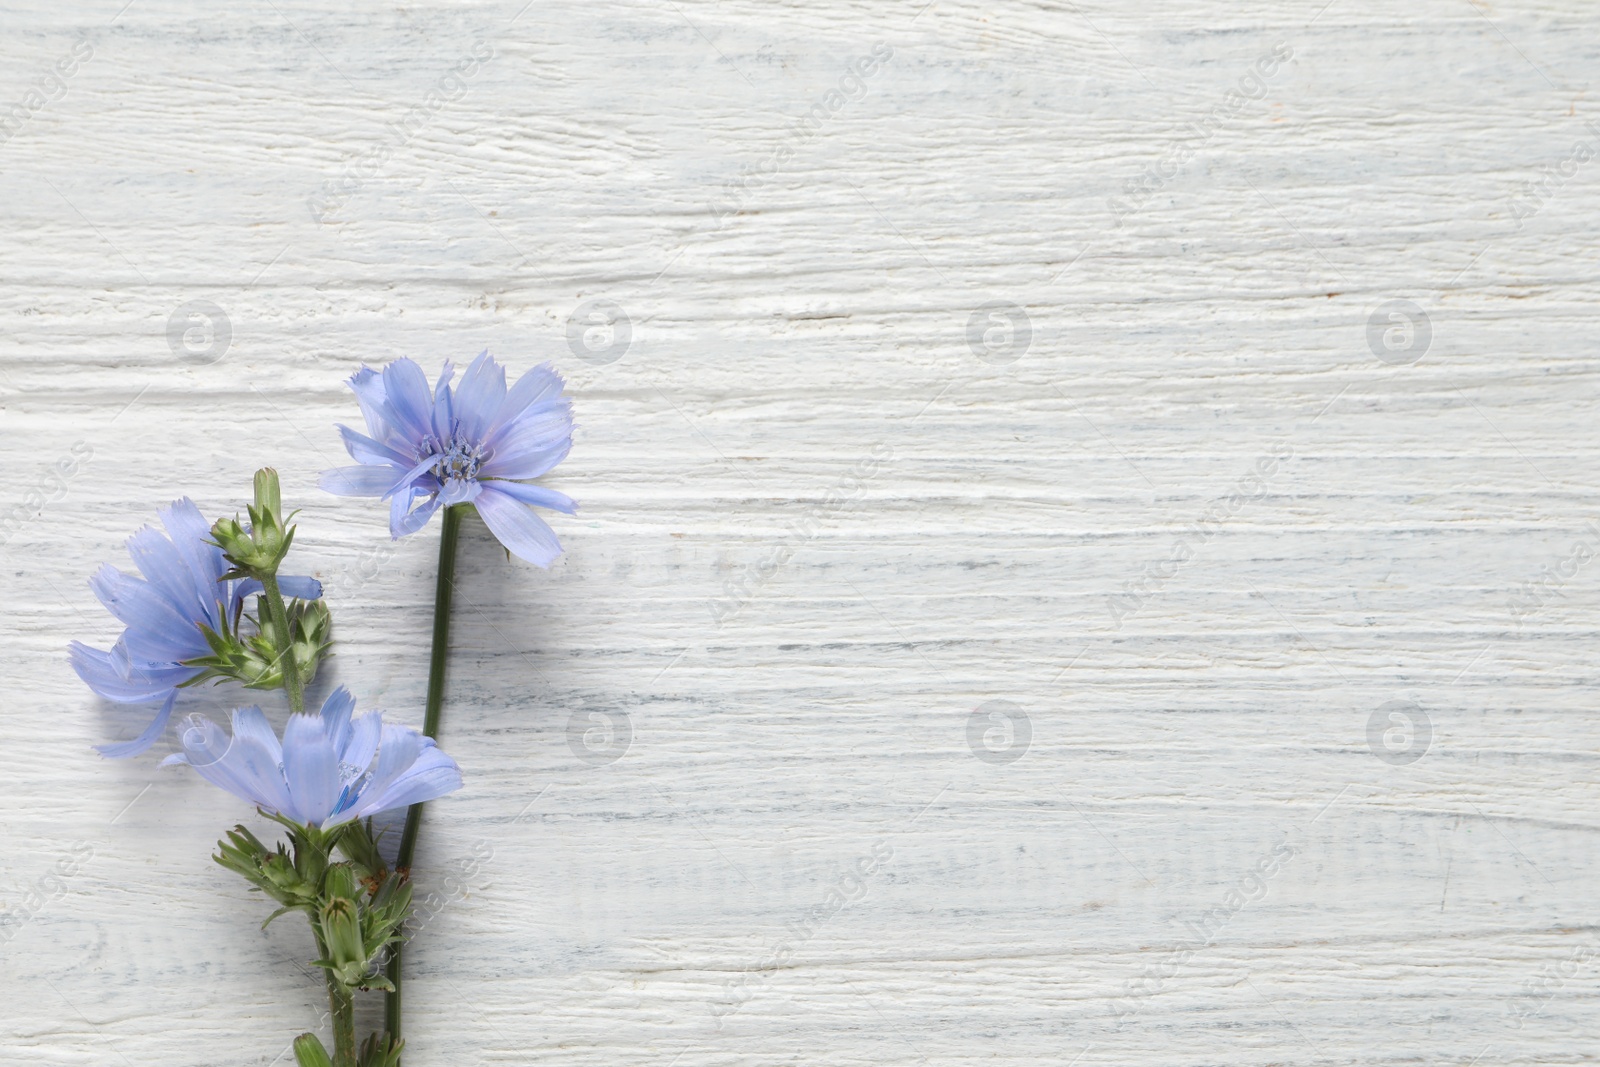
column 473, row 444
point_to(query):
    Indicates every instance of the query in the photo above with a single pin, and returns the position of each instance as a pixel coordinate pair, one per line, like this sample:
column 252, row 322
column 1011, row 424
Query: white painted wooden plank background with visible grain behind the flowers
column 801, row 409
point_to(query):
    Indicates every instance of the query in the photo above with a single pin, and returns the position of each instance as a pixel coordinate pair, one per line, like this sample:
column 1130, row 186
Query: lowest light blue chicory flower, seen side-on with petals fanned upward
column 329, row 770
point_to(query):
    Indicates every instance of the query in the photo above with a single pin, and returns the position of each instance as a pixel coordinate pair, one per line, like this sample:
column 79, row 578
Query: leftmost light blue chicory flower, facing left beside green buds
column 182, row 591
